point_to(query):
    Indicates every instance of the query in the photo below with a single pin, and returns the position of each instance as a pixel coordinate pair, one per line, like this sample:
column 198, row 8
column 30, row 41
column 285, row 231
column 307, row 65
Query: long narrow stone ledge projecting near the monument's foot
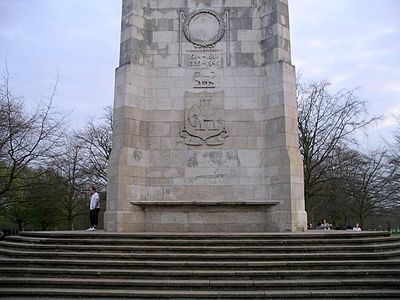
column 203, row 203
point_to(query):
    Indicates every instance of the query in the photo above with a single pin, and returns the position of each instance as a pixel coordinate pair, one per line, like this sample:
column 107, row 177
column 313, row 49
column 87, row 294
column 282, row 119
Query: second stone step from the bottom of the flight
column 133, row 284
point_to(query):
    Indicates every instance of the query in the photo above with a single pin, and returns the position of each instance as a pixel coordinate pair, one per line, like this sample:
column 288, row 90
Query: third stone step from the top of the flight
column 202, row 249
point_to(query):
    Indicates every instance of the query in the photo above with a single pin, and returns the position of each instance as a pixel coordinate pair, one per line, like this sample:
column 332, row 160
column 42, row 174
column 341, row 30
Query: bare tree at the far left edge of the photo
column 27, row 139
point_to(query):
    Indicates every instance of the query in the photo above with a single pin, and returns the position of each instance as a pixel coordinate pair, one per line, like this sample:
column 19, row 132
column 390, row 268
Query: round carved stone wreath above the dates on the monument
column 203, row 14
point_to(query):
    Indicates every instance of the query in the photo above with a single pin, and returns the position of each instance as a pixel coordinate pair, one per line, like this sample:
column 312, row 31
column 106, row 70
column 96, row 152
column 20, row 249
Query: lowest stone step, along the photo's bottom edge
column 184, row 294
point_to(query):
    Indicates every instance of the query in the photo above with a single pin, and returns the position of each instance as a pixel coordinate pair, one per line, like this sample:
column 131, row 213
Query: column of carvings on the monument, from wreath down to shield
column 204, row 112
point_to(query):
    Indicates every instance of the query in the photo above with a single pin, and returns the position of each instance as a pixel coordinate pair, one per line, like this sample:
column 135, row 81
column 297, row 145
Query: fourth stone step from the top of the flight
column 333, row 255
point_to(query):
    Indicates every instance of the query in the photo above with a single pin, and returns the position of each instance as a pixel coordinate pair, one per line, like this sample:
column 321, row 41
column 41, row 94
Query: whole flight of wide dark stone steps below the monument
column 315, row 264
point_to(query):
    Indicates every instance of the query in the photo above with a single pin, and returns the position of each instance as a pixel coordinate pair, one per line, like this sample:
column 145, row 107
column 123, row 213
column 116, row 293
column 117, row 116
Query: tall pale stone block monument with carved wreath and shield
column 205, row 120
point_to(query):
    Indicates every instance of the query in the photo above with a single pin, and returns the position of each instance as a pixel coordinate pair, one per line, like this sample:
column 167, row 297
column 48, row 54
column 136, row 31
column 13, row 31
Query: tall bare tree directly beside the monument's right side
column 325, row 121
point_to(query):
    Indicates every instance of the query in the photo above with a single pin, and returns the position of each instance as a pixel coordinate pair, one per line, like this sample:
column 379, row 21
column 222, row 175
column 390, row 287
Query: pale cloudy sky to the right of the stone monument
column 352, row 44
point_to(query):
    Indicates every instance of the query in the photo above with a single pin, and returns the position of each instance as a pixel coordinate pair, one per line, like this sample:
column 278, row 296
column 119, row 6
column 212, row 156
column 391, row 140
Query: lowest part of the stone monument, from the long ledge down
column 204, row 216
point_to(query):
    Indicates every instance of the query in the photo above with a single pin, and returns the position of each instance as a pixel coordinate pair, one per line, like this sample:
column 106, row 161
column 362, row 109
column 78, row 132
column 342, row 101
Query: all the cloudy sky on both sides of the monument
column 351, row 43
